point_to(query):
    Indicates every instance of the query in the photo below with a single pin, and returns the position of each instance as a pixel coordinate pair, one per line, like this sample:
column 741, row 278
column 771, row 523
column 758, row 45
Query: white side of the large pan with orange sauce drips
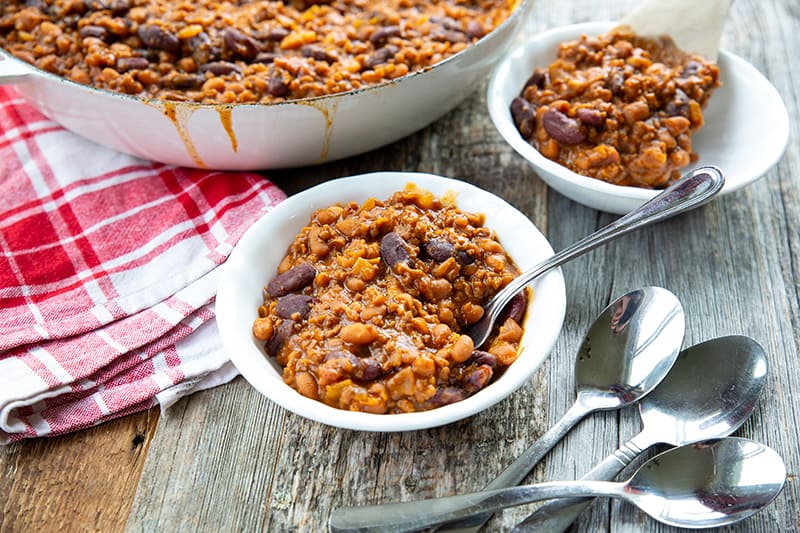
column 261, row 136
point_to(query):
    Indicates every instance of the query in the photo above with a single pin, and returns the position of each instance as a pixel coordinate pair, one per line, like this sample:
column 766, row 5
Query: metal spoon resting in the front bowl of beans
column 691, row 191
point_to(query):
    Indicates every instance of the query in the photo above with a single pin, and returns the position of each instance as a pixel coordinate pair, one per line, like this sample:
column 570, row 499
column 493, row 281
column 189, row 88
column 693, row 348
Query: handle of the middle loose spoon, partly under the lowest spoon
column 556, row 516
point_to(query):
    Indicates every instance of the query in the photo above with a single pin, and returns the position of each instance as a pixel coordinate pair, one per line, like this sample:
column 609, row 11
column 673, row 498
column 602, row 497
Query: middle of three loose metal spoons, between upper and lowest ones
column 710, row 391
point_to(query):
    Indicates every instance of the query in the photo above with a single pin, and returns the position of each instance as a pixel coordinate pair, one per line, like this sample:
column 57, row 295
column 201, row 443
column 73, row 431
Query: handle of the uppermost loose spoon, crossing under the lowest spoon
column 522, row 466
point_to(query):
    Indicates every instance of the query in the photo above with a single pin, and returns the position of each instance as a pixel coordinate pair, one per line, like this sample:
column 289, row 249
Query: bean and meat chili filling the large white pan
column 241, row 51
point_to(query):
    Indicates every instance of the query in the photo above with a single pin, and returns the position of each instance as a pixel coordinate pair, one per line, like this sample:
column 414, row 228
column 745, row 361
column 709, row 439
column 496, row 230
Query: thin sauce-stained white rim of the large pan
column 39, row 73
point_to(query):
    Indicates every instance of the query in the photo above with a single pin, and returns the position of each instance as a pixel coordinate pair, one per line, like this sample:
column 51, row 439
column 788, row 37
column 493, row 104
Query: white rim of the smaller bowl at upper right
column 500, row 116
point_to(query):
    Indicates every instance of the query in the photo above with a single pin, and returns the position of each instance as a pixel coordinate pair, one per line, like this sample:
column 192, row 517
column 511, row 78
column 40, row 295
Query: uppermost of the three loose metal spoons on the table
column 627, row 351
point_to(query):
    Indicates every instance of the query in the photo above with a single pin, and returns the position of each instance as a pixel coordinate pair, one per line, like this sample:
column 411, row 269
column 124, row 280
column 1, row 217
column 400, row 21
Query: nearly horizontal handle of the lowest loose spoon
column 412, row 516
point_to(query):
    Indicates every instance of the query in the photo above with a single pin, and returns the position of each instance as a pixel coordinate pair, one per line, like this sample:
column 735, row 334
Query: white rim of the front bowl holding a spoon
column 252, row 362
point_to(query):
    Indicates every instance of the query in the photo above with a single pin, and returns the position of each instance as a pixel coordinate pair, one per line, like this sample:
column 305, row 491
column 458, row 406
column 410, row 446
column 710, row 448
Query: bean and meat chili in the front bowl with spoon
column 368, row 309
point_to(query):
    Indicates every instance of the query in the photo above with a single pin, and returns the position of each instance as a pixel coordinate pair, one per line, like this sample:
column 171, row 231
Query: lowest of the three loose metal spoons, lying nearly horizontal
column 711, row 484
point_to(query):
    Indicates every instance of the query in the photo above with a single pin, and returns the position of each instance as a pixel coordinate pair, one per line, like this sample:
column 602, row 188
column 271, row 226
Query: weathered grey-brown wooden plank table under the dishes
column 230, row 460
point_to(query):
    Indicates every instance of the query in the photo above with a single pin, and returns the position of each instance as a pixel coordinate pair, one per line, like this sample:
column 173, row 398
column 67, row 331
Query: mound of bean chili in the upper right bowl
column 618, row 107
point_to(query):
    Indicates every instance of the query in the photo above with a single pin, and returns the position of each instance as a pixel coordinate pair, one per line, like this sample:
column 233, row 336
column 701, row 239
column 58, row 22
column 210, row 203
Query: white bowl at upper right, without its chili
column 745, row 133
